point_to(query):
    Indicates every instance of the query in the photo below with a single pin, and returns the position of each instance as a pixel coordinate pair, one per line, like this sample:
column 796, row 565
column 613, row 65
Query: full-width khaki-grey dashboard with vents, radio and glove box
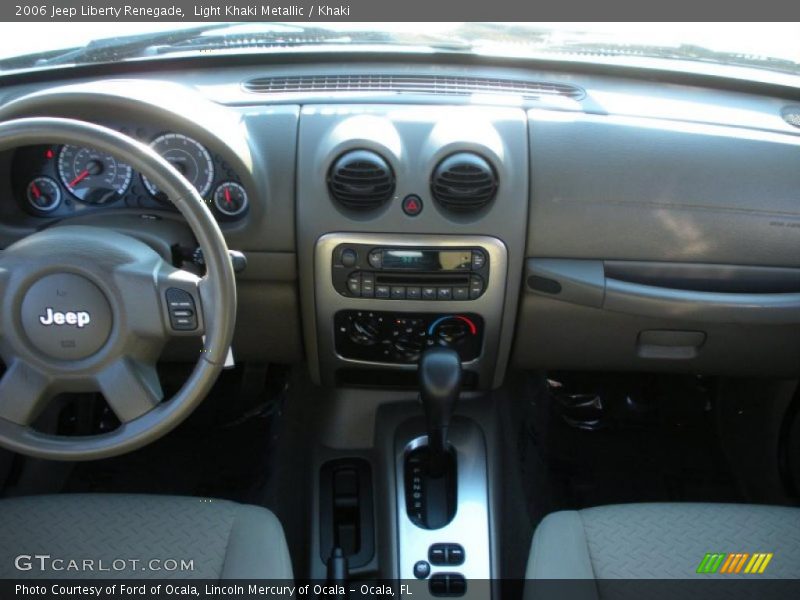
column 618, row 222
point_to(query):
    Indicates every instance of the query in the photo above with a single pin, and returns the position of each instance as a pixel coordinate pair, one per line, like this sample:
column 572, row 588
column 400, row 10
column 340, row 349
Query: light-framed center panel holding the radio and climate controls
column 383, row 299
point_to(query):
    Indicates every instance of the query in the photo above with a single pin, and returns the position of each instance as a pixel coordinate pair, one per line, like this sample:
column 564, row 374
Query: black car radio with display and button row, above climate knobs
column 409, row 273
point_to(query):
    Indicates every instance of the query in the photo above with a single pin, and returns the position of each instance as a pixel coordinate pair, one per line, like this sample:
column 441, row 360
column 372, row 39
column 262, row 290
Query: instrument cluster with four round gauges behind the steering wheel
column 63, row 180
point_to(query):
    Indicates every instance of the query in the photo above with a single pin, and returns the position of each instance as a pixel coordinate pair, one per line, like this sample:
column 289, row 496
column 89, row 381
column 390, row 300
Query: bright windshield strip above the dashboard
column 768, row 47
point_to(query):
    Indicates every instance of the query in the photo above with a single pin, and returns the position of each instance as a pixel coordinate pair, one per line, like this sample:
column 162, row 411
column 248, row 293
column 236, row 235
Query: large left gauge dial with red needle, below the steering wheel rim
column 93, row 177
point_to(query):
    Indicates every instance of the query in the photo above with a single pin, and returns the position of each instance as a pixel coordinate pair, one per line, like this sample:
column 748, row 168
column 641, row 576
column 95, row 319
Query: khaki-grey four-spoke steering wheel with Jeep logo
column 87, row 309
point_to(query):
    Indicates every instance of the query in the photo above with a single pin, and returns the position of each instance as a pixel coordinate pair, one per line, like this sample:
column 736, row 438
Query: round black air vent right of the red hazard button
column 463, row 182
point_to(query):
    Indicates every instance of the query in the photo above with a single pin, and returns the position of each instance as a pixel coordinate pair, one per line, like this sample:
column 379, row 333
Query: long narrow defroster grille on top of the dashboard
column 411, row 84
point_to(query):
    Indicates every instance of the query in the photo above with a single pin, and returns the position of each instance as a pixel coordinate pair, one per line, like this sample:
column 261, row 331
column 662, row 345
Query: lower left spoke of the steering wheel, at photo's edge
column 24, row 392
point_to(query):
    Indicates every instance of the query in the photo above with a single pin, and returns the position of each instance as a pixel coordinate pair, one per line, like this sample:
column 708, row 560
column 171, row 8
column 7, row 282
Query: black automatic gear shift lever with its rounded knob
column 439, row 382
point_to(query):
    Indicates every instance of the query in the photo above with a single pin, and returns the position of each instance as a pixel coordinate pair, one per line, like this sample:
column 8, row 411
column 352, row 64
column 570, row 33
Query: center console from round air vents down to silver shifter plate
column 411, row 228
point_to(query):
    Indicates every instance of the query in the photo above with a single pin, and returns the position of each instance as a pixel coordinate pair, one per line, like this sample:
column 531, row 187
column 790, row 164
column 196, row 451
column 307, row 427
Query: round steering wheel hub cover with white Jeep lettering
column 66, row 316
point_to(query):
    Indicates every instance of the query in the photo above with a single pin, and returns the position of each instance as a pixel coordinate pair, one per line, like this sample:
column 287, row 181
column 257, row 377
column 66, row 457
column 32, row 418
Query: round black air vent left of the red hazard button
column 361, row 180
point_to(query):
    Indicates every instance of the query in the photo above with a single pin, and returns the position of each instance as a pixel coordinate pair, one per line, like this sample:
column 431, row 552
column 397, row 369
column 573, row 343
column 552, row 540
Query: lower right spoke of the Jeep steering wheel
column 131, row 388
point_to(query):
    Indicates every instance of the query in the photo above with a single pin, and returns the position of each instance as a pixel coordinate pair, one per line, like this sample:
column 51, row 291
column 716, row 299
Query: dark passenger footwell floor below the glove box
column 604, row 439
